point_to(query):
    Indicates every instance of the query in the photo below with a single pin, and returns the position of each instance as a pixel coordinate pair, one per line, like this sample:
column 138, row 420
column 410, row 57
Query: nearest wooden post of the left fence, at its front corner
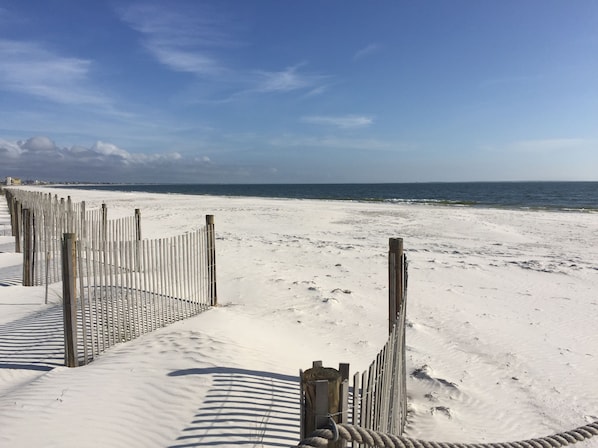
column 69, row 299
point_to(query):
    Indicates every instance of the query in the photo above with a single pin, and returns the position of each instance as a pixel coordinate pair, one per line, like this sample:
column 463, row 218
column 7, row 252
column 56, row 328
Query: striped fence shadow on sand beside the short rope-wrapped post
column 244, row 407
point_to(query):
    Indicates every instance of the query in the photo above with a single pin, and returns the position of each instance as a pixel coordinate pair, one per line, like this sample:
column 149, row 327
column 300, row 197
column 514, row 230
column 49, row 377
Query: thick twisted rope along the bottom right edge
column 351, row 433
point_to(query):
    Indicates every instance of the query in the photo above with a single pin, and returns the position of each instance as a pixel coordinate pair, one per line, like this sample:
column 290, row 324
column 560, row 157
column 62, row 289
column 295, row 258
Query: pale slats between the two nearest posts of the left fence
column 129, row 288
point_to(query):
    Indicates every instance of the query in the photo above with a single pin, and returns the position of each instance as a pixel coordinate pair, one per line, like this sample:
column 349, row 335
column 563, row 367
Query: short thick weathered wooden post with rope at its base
column 321, row 389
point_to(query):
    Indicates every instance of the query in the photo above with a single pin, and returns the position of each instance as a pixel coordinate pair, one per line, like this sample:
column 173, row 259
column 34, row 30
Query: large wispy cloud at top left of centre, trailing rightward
column 193, row 41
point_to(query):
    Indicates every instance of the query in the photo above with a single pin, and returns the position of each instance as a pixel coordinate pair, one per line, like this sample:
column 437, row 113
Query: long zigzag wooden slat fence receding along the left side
column 116, row 286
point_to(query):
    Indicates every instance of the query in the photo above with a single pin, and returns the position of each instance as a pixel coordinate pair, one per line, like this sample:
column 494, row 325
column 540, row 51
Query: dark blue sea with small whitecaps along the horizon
column 564, row 196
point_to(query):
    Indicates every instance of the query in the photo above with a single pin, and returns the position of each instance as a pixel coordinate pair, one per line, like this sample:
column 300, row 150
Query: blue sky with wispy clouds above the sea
column 299, row 91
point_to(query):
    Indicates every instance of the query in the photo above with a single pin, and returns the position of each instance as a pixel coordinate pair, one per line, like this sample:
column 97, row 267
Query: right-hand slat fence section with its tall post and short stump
column 377, row 399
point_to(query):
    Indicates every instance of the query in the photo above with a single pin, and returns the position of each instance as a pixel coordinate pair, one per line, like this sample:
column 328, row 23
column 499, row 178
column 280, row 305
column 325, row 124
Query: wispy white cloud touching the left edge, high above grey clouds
column 30, row 68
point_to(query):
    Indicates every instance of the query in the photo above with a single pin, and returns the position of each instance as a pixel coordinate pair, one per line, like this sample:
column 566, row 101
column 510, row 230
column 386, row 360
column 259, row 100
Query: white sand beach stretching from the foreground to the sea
column 502, row 340
